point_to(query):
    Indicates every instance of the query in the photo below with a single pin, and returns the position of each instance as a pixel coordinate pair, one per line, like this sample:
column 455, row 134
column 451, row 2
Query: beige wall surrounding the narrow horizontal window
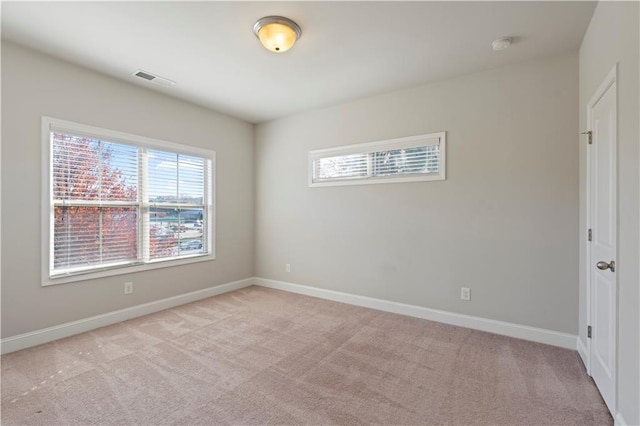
column 504, row 223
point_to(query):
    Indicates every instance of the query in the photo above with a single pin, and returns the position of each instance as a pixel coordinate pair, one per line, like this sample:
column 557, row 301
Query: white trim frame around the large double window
column 49, row 124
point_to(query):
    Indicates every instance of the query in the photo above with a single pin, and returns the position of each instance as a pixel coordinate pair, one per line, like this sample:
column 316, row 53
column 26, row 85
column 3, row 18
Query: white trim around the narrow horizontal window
column 368, row 148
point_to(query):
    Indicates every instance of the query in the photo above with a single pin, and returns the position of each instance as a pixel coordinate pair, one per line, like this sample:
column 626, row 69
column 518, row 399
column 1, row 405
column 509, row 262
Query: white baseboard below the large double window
column 45, row 335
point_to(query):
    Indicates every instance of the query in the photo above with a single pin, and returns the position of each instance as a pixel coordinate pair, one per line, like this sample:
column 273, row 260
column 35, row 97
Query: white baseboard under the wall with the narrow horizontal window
column 549, row 337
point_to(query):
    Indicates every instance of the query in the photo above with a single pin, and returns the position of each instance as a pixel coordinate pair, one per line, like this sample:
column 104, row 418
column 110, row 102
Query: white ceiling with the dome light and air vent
column 348, row 50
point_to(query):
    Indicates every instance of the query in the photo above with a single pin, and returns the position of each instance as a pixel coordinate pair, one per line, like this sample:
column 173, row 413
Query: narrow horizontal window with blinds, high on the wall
column 409, row 159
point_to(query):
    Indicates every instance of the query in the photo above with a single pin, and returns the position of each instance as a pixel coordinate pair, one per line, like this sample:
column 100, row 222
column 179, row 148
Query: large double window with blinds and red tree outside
column 119, row 202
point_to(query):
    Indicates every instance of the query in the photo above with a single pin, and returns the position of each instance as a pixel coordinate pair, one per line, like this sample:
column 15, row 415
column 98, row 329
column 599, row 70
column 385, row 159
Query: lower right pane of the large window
column 175, row 232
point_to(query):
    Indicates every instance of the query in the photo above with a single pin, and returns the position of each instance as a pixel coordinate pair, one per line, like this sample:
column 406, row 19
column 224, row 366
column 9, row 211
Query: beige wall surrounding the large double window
column 34, row 85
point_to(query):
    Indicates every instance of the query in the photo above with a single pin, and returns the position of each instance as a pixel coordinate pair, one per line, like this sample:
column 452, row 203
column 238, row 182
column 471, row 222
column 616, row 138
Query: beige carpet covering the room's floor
column 261, row 356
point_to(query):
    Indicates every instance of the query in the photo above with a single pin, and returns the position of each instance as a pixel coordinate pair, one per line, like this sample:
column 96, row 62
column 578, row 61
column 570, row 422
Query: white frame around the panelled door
column 608, row 81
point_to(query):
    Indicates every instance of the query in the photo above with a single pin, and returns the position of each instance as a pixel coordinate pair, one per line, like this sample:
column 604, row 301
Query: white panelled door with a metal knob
column 603, row 223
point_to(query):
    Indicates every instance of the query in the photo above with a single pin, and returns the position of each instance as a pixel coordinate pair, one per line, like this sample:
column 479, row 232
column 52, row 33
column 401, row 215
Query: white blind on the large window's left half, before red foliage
column 95, row 202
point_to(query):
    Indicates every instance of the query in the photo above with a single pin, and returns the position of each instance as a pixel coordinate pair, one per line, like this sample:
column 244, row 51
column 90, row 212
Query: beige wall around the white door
column 612, row 37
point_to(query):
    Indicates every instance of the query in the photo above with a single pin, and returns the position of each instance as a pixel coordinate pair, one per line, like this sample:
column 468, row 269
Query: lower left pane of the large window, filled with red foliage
column 85, row 236
